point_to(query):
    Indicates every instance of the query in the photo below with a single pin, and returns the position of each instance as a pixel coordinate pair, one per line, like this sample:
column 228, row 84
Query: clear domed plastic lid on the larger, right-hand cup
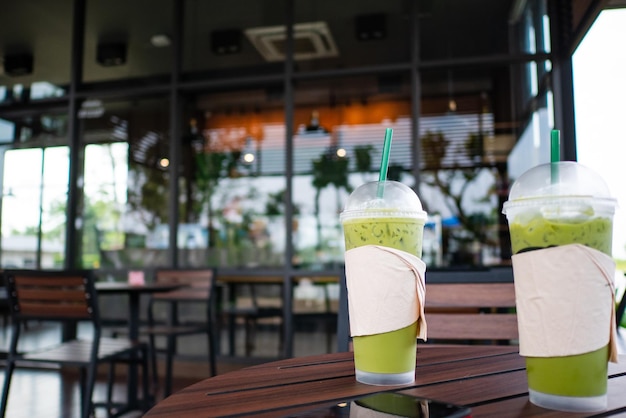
column 561, row 182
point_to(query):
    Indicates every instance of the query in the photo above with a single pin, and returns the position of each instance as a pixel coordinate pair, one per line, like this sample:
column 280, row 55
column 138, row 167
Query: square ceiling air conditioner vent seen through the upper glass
column 311, row 41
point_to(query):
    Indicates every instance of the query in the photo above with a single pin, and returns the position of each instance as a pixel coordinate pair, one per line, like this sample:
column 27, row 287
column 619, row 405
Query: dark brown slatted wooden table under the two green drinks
column 489, row 379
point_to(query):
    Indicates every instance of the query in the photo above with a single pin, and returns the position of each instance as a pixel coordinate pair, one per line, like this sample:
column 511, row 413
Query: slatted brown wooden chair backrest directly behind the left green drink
column 476, row 305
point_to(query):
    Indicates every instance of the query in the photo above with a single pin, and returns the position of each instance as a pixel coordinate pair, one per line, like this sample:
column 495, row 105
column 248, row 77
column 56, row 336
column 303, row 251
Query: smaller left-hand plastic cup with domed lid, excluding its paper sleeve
column 394, row 220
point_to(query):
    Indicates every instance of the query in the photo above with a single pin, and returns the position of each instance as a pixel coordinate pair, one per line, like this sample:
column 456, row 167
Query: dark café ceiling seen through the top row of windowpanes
column 448, row 30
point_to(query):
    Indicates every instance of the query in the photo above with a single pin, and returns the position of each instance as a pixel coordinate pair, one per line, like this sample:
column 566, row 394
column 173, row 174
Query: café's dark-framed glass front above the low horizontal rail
column 195, row 133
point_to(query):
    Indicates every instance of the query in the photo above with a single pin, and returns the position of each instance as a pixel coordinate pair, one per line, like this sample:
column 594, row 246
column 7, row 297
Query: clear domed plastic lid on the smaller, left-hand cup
column 368, row 200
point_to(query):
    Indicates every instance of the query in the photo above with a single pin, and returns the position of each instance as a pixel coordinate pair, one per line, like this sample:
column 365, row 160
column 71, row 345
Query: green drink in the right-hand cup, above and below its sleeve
column 581, row 375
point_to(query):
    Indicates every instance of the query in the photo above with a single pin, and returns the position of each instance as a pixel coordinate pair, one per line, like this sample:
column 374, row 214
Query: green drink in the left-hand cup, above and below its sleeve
column 390, row 352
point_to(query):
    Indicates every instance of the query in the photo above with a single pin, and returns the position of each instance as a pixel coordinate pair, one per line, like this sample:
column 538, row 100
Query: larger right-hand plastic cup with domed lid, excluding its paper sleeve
column 553, row 205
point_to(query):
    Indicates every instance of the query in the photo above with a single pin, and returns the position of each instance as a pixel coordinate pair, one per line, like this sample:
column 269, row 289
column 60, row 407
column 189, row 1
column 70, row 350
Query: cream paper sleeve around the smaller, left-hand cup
column 386, row 290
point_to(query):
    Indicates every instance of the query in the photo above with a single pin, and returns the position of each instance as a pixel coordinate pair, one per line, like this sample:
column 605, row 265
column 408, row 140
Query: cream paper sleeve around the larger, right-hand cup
column 565, row 299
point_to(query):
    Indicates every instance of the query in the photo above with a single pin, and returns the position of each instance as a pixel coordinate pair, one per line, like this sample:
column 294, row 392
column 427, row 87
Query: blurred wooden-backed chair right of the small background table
column 198, row 290
